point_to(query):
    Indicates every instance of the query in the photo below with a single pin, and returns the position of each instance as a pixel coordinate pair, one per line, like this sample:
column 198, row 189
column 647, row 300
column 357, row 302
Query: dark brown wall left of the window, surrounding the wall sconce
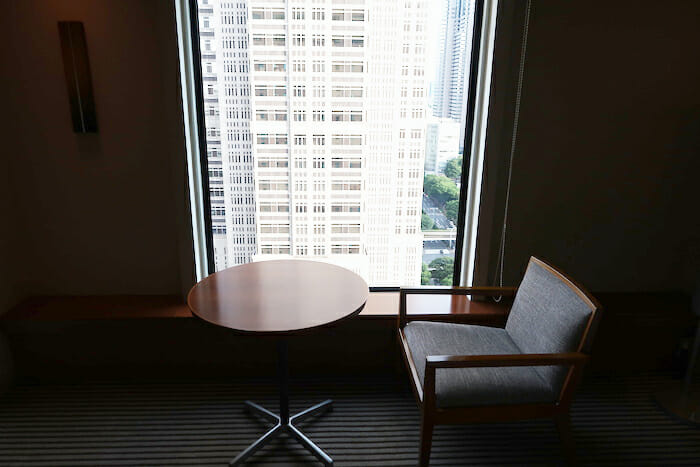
column 104, row 213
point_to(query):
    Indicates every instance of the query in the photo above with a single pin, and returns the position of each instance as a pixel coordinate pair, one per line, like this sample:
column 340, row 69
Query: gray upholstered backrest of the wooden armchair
column 551, row 314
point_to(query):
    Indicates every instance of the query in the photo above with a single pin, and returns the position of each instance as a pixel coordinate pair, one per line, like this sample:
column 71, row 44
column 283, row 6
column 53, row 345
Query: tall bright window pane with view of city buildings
column 364, row 170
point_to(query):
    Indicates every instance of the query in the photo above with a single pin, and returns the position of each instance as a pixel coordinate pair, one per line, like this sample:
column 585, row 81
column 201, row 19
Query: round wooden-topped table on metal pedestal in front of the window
column 280, row 298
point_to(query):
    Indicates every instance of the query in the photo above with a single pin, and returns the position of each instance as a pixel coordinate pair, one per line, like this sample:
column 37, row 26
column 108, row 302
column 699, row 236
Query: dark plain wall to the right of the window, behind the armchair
column 605, row 180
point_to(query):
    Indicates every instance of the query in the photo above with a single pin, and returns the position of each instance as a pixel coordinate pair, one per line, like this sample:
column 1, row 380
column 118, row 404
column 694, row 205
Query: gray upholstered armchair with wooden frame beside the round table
column 468, row 374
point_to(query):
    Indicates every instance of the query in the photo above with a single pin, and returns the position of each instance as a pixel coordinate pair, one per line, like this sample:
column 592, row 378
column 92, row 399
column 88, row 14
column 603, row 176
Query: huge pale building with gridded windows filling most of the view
column 331, row 102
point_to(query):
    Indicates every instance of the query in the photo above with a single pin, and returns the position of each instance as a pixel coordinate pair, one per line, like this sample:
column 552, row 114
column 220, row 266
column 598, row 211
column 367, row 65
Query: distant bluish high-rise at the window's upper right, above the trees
column 449, row 99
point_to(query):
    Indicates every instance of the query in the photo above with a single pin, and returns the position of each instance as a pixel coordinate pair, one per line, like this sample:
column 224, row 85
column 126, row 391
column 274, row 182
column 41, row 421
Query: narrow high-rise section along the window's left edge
column 225, row 77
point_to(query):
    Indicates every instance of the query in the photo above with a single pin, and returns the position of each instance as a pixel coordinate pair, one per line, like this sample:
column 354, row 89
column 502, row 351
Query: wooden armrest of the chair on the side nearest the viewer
column 478, row 361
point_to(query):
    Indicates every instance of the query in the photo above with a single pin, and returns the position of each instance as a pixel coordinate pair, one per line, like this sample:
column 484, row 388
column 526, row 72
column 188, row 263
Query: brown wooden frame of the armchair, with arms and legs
column 432, row 415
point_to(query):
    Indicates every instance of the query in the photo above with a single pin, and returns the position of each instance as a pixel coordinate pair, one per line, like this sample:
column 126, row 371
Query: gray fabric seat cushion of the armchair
column 467, row 387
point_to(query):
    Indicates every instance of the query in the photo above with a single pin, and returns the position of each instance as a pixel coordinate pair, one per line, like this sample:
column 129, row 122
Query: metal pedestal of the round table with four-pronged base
column 283, row 422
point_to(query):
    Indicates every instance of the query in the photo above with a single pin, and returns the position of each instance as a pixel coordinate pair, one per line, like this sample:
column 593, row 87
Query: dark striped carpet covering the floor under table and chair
column 374, row 422
